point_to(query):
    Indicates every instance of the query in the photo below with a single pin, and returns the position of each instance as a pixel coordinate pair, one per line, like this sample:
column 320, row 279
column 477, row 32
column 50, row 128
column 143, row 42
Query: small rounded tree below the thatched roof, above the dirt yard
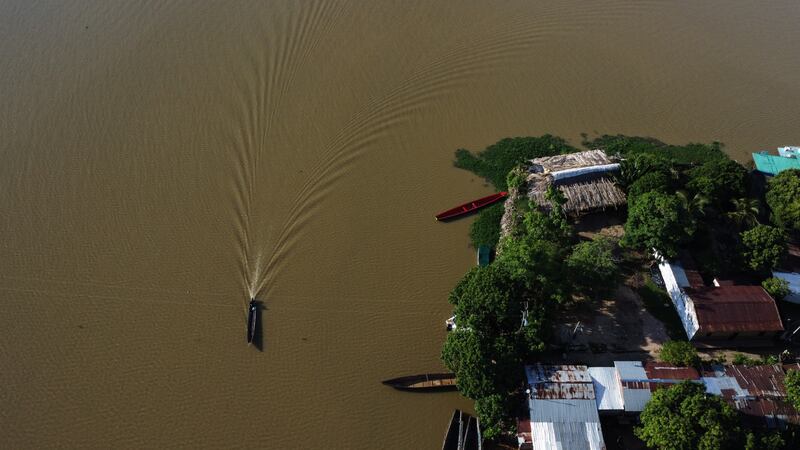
column 592, row 267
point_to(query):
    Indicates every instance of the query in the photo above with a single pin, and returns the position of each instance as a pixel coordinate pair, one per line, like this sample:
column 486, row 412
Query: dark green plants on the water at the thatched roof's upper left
column 496, row 161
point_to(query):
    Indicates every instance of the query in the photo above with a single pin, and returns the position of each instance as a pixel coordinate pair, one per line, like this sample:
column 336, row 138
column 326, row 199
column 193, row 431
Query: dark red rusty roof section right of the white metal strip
column 734, row 309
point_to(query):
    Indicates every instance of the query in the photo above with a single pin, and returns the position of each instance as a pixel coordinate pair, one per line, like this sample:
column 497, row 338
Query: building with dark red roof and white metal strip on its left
column 723, row 315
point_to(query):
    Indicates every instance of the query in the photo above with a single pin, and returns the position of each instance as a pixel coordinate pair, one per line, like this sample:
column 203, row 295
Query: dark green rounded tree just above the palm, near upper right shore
column 720, row 180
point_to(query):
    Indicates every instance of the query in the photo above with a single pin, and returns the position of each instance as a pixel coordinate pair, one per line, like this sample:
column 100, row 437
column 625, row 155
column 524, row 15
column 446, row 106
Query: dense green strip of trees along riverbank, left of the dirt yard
column 502, row 313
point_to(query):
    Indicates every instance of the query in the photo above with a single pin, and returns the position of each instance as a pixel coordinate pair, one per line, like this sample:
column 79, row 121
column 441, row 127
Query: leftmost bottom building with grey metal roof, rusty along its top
column 563, row 409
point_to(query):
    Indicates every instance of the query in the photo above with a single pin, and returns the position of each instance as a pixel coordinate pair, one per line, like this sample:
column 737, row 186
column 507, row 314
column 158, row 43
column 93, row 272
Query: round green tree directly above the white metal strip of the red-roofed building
column 658, row 221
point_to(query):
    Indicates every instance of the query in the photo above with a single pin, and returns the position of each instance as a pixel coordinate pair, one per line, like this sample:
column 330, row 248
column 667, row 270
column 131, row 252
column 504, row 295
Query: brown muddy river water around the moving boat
column 162, row 161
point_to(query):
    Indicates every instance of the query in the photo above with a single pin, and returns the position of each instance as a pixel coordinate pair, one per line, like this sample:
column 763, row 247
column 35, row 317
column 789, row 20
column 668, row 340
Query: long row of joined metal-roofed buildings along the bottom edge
column 566, row 401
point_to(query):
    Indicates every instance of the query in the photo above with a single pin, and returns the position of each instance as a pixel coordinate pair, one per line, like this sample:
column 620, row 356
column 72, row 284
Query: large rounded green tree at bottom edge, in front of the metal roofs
column 684, row 417
